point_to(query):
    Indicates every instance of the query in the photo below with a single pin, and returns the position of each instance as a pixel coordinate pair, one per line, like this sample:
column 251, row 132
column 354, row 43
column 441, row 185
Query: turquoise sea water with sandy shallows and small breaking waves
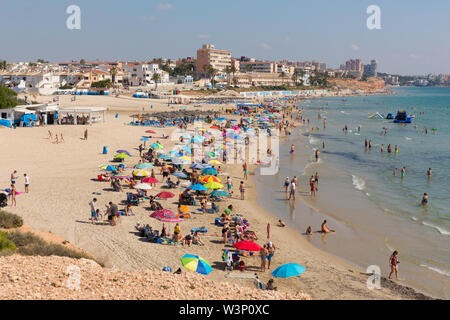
column 382, row 211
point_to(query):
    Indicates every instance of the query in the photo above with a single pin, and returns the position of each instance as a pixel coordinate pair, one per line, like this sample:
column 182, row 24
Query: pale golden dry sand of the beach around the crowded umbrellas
column 63, row 182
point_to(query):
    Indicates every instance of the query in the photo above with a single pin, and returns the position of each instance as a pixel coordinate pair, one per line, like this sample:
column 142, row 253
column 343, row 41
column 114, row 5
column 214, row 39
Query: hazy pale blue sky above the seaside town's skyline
column 414, row 36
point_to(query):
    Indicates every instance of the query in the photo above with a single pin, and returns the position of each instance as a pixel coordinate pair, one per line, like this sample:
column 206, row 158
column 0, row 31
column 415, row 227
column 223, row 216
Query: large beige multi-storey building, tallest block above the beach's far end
column 218, row 59
